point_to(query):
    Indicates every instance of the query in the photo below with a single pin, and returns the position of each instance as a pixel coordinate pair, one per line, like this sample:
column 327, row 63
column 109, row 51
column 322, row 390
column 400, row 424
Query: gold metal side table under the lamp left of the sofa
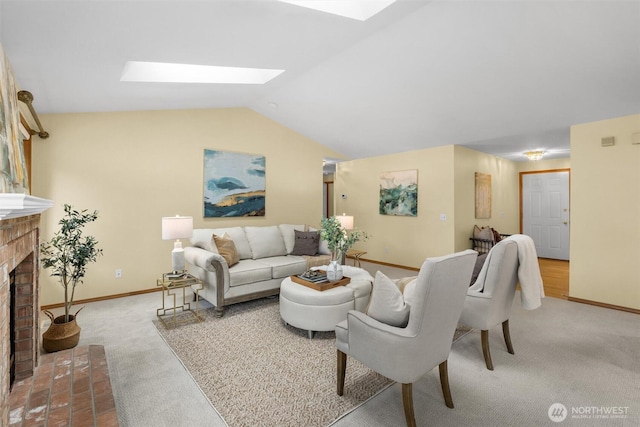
column 171, row 285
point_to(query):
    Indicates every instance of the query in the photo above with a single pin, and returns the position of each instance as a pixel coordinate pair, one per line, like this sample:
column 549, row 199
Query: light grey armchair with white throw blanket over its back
column 489, row 299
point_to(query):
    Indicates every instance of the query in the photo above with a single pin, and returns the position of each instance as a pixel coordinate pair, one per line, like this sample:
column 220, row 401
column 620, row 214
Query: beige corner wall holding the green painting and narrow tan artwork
column 446, row 185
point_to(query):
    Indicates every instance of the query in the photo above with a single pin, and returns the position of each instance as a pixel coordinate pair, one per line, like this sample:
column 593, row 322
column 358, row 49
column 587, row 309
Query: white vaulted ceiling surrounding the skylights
column 496, row 76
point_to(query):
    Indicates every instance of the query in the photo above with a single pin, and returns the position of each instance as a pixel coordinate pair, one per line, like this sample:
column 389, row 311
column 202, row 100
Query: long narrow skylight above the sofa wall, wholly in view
column 161, row 72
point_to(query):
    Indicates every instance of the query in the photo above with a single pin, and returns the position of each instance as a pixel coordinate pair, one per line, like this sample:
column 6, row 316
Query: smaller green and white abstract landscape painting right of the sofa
column 399, row 193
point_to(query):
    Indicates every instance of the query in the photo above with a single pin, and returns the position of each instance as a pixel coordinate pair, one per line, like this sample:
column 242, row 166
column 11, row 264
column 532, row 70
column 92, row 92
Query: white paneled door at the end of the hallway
column 545, row 212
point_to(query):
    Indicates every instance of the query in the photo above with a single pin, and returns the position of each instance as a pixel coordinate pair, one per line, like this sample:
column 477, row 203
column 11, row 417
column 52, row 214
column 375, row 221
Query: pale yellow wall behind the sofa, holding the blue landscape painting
column 136, row 167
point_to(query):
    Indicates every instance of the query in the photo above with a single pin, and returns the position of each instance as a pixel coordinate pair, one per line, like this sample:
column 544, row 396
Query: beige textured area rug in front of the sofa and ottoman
column 256, row 371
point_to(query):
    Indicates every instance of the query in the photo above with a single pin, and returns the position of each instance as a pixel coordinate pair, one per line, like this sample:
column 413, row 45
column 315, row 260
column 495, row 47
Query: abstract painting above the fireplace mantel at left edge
column 13, row 172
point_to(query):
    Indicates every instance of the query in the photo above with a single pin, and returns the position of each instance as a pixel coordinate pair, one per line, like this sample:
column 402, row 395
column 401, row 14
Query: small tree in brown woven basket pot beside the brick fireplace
column 67, row 255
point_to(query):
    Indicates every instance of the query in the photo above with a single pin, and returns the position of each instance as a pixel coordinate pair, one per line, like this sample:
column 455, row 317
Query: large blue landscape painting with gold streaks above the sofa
column 234, row 184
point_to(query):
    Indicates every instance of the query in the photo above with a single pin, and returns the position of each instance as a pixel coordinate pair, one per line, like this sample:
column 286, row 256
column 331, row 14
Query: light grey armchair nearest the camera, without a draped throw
column 406, row 354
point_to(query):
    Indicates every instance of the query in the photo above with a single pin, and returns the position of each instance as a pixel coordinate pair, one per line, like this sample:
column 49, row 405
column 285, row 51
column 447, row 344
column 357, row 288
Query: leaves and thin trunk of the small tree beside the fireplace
column 68, row 253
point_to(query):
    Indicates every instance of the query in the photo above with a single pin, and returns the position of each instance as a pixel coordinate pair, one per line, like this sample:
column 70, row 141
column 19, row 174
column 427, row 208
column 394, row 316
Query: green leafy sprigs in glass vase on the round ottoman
column 339, row 241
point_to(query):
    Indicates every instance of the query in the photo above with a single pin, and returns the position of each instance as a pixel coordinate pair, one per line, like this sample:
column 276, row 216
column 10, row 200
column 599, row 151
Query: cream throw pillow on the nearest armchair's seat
column 387, row 304
